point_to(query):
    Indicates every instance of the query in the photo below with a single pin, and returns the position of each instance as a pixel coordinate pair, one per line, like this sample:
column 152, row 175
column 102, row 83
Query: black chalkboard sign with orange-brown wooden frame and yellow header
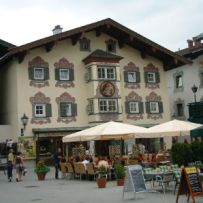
column 190, row 183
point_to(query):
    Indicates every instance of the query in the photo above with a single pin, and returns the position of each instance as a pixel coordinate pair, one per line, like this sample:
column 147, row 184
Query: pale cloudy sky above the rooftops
column 167, row 22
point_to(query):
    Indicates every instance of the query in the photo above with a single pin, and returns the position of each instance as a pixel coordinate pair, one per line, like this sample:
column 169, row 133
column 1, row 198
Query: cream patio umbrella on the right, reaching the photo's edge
column 171, row 128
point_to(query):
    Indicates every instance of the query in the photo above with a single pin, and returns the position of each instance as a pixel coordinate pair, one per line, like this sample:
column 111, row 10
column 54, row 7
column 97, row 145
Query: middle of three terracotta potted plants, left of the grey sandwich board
column 102, row 173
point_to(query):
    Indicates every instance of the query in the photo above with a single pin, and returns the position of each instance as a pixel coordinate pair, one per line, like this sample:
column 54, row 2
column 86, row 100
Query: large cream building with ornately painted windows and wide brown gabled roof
column 76, row 79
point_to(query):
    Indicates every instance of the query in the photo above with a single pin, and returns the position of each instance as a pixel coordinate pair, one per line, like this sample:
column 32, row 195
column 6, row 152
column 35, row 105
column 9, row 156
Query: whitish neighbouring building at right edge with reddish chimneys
column 185, row 103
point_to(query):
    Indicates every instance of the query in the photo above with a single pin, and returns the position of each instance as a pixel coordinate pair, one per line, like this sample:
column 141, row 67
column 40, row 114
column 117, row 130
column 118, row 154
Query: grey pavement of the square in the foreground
column 75, row 191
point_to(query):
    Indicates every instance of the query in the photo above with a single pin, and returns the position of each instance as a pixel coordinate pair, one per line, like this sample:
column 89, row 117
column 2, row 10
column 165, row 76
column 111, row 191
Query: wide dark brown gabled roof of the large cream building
column 113, row 29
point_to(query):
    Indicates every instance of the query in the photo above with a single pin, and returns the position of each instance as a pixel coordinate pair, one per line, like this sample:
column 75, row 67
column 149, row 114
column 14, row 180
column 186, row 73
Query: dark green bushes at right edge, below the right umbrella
column 182, row 153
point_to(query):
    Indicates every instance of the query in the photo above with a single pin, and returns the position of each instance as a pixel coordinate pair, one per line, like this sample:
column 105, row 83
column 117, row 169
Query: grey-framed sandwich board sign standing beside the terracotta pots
column 134, row 180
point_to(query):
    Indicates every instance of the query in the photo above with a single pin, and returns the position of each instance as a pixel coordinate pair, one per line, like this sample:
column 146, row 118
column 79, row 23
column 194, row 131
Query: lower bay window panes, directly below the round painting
column 107, row 105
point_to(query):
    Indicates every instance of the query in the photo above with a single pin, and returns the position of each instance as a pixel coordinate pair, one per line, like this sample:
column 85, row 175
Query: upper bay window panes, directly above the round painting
column 106, row 73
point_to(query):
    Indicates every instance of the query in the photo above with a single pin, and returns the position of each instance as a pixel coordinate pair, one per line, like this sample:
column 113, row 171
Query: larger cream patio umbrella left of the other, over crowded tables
column 107, row 131
